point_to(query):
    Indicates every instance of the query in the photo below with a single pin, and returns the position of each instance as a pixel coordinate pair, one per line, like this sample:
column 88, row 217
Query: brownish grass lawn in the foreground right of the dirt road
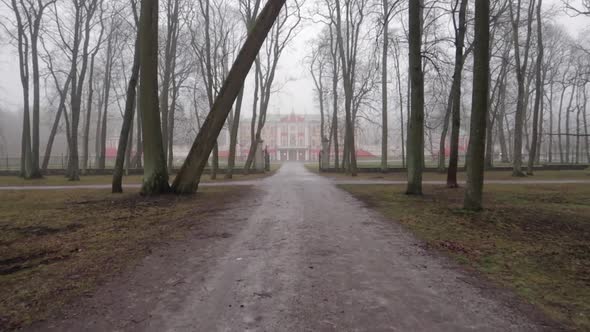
column 534, row 240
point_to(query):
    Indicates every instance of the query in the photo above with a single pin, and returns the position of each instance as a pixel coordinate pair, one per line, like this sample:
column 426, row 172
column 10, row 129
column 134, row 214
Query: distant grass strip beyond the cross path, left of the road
column 58, row 180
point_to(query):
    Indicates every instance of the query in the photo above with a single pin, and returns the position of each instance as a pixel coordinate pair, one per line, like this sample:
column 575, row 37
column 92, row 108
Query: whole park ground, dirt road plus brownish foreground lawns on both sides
column 296, row 252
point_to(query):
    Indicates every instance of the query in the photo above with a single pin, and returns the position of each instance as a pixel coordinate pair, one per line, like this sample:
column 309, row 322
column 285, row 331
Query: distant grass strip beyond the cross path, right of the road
column 493, row 175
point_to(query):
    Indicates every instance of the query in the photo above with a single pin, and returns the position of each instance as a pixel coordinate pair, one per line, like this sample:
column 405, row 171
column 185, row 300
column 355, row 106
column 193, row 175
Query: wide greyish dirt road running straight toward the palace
column 302, row 255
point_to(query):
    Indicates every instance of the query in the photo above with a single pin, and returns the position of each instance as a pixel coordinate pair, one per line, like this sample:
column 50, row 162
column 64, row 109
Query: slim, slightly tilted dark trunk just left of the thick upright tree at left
column 117, row 185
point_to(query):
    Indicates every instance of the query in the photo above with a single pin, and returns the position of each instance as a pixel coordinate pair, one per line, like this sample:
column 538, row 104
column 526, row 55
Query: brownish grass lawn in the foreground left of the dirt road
column 59, row 246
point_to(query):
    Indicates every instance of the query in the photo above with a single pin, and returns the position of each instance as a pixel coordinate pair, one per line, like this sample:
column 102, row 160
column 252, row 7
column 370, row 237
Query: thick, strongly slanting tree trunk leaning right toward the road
column 187, row 179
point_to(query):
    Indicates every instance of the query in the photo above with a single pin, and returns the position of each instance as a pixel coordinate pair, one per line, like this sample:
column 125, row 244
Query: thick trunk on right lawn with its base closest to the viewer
column 481, row 73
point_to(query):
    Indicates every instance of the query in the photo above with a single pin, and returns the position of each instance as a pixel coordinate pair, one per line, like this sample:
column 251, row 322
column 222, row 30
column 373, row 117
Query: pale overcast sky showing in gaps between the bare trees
column 297, row 95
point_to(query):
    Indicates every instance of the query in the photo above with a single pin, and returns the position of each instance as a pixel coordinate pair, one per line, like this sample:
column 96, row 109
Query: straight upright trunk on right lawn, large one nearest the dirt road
column 416, row 127
